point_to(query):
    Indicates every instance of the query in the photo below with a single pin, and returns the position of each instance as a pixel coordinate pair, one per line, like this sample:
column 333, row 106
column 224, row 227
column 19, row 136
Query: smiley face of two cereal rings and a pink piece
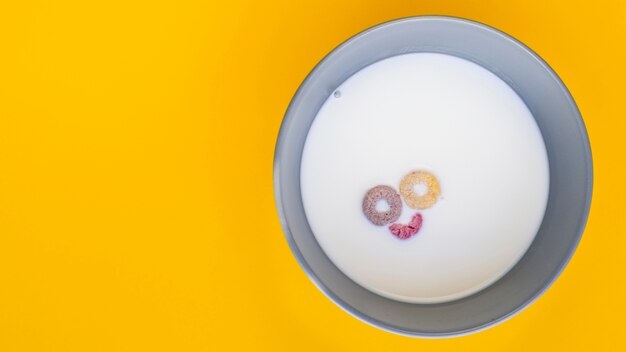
column 380, row 193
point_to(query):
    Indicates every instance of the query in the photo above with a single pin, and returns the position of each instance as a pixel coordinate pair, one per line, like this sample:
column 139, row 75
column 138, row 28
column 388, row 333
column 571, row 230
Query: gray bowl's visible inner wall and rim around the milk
column 569, row 158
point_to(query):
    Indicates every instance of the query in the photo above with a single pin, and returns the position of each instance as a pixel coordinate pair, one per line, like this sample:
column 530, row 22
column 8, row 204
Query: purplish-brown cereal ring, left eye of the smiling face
column 377, row 194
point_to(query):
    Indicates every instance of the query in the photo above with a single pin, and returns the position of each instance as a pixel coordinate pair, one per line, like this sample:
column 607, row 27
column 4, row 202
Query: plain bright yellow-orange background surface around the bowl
column 136, row 197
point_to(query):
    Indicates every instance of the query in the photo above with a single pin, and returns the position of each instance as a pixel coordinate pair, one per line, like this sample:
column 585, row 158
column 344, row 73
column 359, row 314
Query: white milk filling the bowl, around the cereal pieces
column 454, row 119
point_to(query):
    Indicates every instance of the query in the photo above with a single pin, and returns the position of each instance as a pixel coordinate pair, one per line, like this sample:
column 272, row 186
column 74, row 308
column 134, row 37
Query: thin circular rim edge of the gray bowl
column 279, row 147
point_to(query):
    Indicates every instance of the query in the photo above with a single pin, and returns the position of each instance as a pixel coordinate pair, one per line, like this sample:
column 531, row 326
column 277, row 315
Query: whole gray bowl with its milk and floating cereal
column 433, row 176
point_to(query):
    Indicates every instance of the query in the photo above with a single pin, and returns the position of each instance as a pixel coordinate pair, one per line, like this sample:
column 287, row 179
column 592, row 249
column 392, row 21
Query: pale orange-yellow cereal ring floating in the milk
column 415, row 200
